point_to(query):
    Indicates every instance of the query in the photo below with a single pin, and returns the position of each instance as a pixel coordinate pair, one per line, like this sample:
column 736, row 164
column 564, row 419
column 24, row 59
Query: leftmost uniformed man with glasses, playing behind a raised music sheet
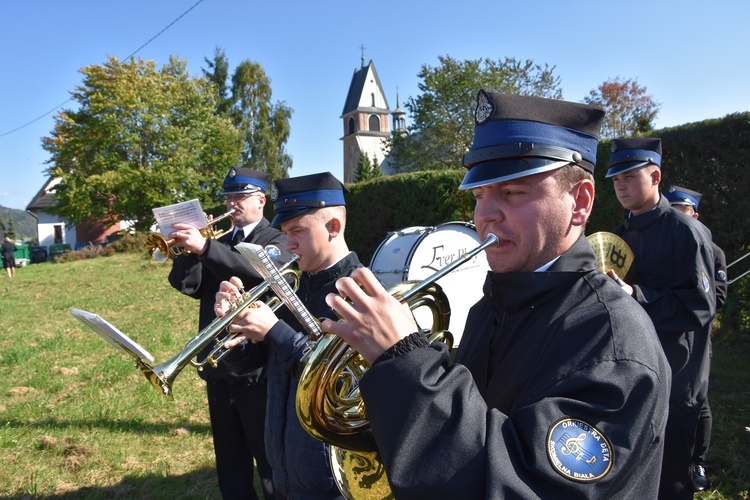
column 236, row 400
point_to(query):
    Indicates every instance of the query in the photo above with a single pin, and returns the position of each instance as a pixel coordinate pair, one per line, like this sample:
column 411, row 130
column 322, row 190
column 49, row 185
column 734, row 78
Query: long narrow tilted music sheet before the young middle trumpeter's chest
column 256, row 255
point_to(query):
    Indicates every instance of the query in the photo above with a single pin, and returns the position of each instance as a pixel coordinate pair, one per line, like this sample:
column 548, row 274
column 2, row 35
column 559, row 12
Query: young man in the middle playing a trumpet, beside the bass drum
column 311, row 211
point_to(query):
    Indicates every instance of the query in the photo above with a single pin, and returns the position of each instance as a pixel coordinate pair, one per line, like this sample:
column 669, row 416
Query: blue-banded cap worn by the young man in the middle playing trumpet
column 299, row 195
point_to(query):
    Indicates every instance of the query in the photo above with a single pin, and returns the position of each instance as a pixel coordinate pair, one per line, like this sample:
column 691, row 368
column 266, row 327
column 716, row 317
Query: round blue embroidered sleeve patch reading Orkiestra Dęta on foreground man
column 578, row 451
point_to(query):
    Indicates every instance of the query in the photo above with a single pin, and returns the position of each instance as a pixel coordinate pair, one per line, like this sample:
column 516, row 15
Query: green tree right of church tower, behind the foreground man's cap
column 442, row 116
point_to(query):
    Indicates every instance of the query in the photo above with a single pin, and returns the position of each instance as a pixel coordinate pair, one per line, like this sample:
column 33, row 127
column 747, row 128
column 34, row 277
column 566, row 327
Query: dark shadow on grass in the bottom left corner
column 199, row 484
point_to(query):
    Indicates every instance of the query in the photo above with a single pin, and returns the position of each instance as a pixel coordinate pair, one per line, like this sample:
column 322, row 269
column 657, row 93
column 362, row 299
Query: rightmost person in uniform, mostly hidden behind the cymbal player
column 686, row 201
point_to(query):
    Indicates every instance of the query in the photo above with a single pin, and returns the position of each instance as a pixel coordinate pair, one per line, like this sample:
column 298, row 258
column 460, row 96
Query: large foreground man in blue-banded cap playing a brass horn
column 560, row 387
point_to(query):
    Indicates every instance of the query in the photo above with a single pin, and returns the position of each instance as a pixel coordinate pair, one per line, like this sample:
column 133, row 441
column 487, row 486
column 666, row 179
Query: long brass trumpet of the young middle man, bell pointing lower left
column 162, row 376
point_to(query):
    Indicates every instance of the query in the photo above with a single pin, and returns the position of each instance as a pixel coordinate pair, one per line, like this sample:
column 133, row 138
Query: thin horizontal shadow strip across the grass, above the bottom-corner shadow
column 120, row 425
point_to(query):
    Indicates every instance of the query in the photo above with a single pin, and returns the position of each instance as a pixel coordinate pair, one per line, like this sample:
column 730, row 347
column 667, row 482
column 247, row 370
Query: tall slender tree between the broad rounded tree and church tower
column 265, row 126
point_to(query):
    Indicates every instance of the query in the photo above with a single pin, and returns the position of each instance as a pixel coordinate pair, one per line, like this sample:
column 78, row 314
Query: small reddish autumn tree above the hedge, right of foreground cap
column 629, row 110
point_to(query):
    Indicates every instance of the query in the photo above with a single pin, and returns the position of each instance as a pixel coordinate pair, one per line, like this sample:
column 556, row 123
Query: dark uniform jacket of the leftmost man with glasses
column 200, row 276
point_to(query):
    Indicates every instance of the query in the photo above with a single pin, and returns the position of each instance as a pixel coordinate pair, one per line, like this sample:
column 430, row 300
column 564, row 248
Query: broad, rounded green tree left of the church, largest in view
column 140, row 138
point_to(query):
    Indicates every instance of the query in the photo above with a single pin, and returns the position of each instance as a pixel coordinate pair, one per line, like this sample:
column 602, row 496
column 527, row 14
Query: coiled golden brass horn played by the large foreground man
column 329, row 405
